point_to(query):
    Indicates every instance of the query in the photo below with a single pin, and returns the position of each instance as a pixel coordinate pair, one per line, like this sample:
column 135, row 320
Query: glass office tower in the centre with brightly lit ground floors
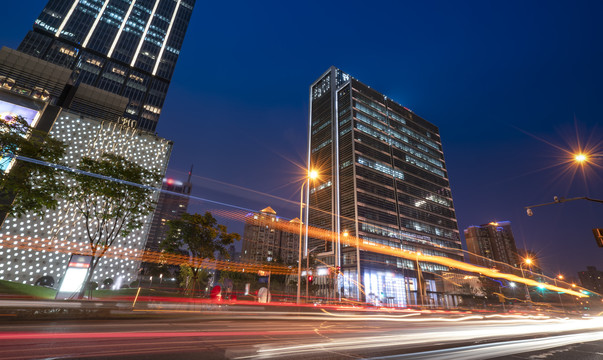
column 383, row 179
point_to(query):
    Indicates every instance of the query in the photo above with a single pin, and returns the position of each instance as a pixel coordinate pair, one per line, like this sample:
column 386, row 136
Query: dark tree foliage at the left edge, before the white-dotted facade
column 28, row 186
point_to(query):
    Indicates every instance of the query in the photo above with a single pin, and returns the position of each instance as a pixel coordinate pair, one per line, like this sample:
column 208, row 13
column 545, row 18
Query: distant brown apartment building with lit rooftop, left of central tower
column 264, row 240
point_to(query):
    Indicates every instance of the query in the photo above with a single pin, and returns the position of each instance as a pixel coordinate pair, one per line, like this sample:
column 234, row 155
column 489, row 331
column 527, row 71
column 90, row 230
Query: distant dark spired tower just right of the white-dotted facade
column 172, row 203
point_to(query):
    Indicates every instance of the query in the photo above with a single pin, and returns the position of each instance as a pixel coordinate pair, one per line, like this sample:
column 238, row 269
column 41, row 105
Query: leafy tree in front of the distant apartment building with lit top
column 202, row 236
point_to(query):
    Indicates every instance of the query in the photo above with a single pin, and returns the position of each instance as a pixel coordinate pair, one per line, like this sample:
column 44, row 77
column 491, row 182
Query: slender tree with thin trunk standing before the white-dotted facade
column 111, row 209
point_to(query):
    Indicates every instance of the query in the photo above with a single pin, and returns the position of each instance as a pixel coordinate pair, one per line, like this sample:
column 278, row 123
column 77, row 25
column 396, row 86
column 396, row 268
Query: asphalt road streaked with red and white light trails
column 304, row 336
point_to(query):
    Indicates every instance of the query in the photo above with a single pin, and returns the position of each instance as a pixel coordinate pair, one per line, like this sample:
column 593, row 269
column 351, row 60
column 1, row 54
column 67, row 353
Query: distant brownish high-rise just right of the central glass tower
column 491, row 244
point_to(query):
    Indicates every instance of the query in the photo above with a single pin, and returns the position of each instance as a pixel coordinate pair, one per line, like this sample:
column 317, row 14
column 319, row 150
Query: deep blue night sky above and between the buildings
column 512, row 86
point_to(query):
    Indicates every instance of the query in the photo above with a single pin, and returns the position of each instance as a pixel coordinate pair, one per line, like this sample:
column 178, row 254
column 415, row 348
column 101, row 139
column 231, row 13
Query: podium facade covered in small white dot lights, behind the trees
column 62, row 229
